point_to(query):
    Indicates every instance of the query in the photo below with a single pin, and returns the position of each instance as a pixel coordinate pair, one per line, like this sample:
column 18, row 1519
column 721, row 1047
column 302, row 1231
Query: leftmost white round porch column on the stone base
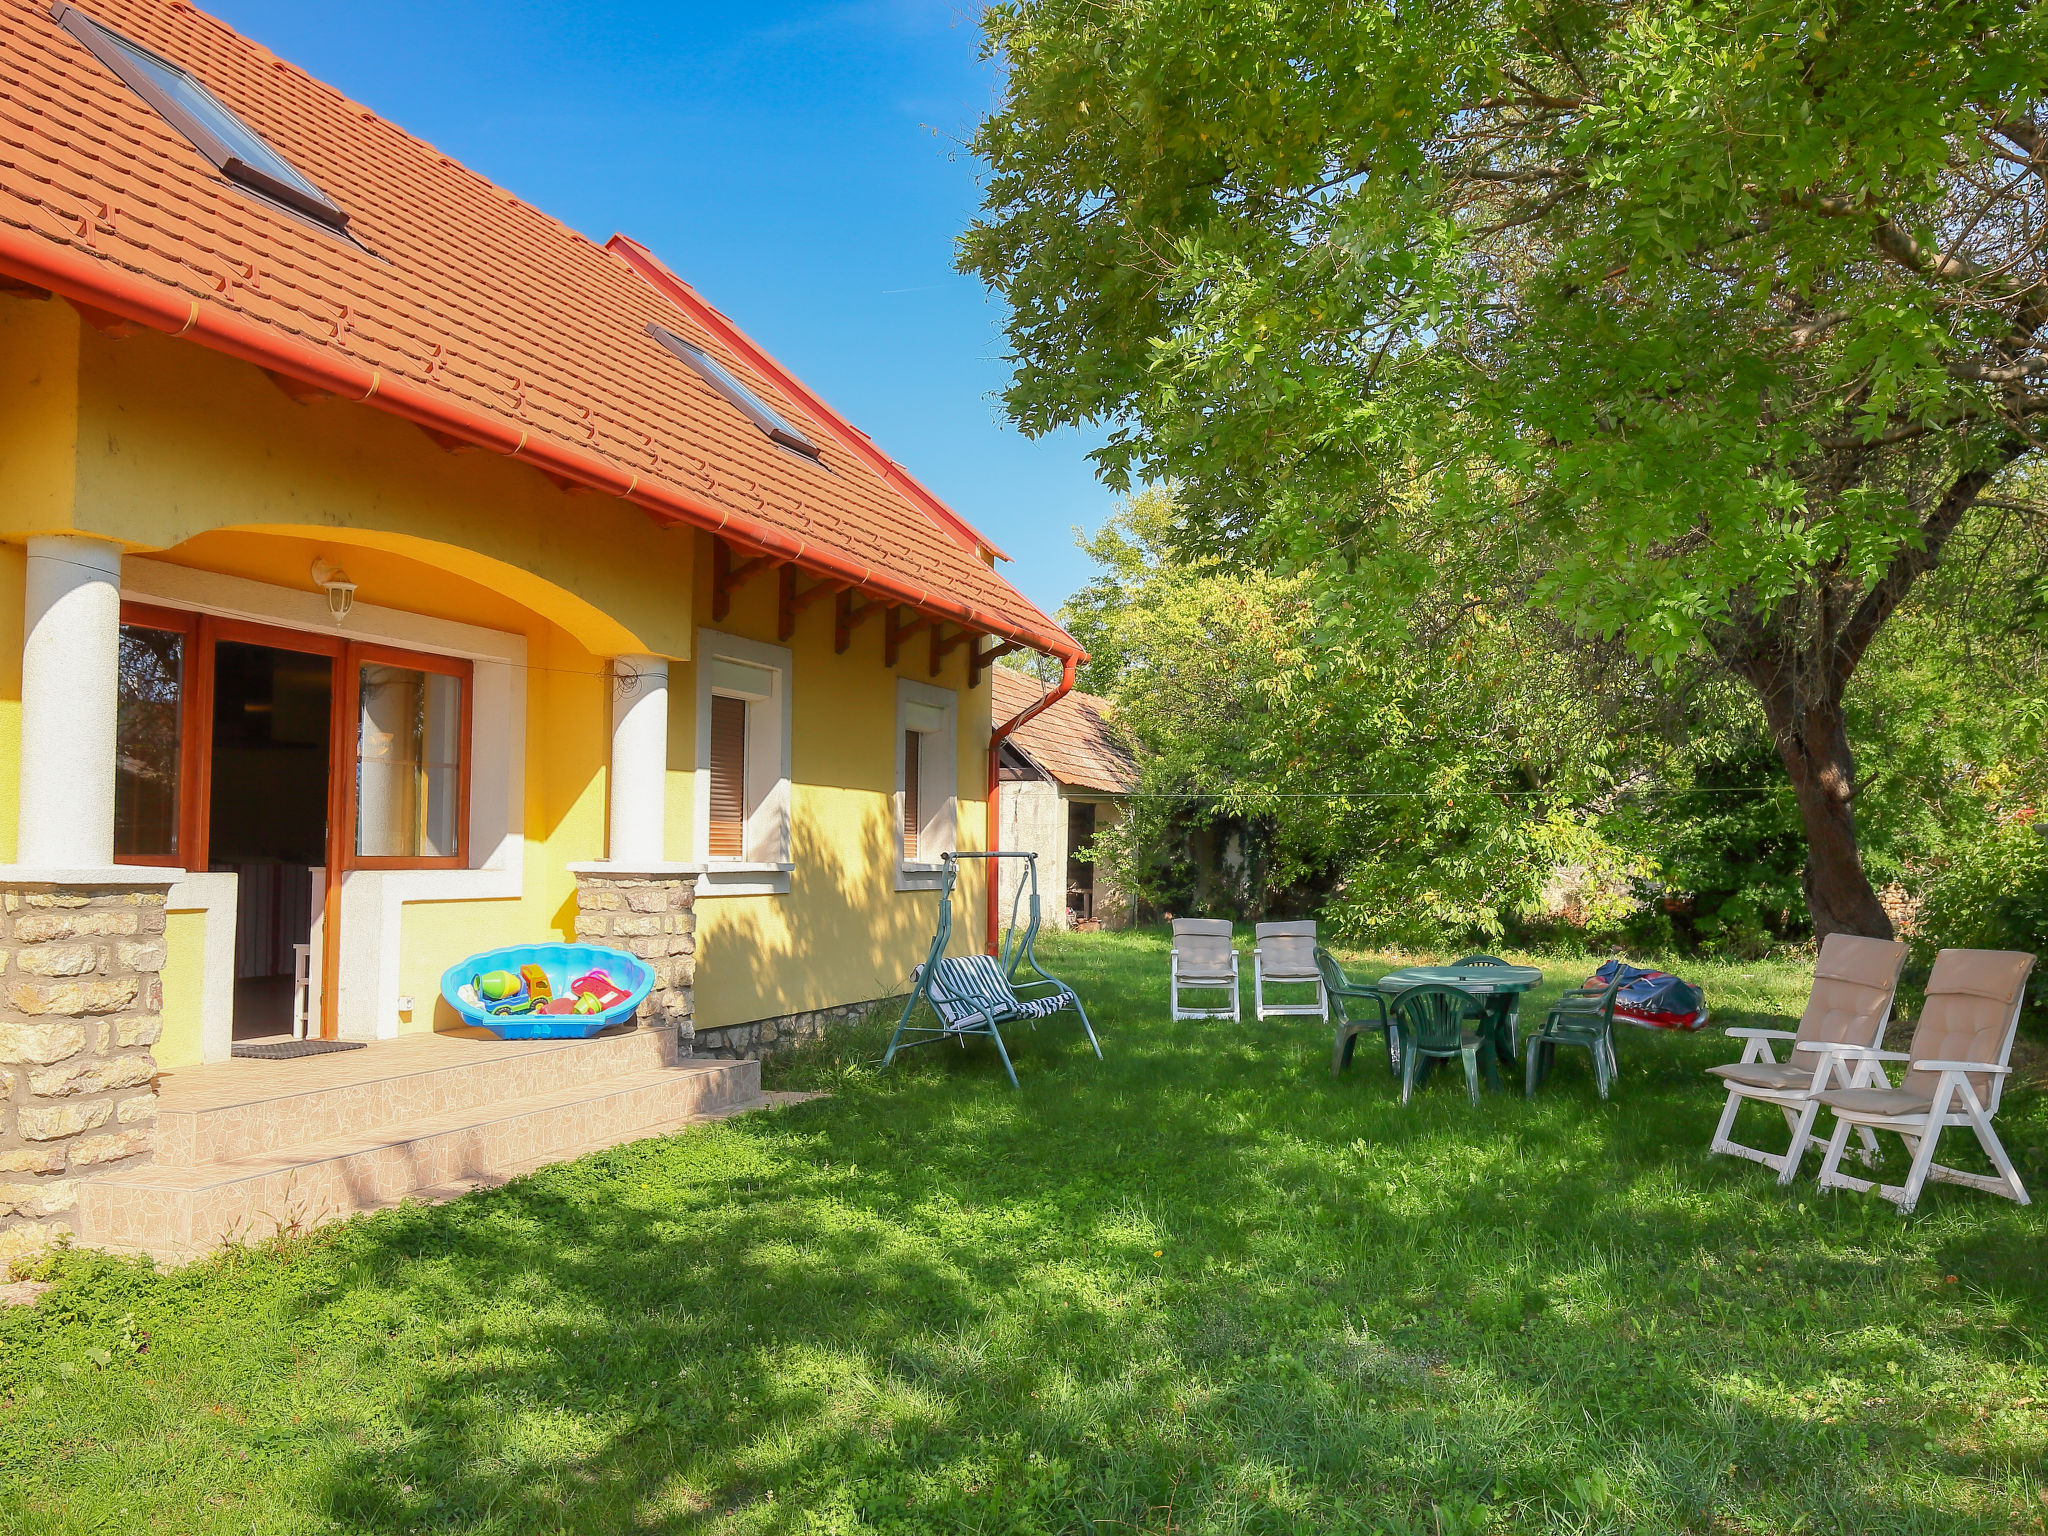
column 71, row 673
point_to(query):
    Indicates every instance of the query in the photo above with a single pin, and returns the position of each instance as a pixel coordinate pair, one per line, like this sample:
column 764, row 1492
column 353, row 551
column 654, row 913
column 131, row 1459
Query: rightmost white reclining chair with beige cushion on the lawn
column 1955, row 1076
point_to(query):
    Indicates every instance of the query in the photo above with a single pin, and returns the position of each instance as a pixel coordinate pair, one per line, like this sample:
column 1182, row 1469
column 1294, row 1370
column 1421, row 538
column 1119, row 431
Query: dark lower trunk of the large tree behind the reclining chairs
column 1814, row 742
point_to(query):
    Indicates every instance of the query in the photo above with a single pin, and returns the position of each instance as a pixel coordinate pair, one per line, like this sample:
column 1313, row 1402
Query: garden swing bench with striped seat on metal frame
column 976, row 994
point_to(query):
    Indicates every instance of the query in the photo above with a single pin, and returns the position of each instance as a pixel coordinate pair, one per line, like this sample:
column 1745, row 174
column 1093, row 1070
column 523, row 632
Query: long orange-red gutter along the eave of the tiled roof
column 97, row 284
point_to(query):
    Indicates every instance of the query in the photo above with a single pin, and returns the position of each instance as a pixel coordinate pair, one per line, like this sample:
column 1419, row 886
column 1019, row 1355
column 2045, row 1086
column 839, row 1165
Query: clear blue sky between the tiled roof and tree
column 802, row 165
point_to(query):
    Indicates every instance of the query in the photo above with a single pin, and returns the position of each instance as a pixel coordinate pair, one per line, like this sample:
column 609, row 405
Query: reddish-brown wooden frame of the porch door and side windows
column 196, row 757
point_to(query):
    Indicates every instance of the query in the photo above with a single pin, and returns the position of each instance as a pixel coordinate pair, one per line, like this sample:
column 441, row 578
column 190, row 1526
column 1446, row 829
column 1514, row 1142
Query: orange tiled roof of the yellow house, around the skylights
column 476, row 314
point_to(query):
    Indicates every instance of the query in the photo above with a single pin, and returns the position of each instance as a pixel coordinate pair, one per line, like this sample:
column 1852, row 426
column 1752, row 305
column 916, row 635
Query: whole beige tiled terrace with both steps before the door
column 255, row 1148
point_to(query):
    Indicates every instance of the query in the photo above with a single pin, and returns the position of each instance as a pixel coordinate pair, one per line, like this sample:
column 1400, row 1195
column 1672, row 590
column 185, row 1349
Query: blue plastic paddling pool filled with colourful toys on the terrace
column 548, row 992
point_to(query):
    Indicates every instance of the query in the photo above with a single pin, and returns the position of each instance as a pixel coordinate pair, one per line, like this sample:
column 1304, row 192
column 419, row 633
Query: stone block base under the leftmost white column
column 81, row 1002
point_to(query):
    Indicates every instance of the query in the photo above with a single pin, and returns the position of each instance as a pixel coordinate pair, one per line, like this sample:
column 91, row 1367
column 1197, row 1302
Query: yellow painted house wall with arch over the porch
column 198, row 460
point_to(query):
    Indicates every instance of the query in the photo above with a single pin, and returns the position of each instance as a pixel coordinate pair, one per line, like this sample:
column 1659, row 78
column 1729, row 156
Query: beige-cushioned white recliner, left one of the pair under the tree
column 1854, row 984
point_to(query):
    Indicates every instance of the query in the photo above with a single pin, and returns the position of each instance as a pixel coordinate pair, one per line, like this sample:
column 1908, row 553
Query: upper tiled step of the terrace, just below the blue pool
column 249, row 1107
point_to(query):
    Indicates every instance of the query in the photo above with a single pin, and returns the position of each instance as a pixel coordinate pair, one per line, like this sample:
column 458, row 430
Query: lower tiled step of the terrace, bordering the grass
column 183, row 1211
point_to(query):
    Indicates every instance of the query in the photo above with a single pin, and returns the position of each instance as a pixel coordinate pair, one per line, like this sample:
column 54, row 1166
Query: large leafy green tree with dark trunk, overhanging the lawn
column 1713, row 318
